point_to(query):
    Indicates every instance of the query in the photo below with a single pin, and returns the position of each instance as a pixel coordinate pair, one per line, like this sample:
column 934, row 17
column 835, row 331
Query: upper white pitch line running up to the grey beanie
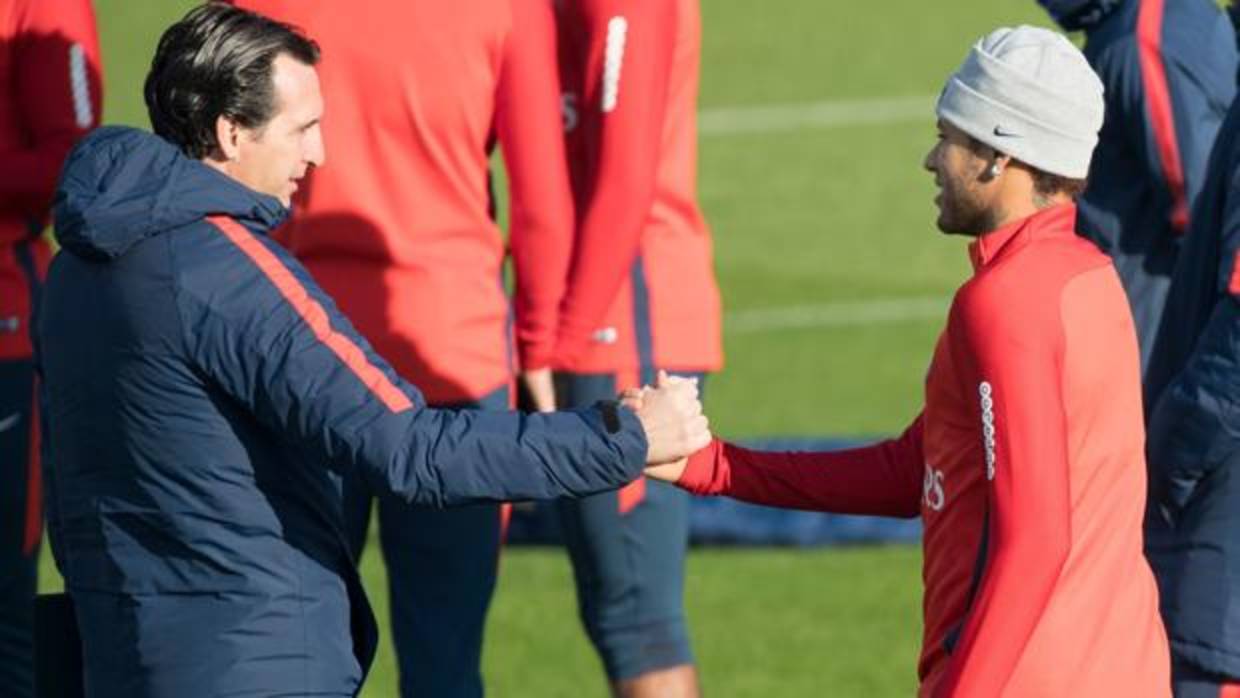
column 728, row 121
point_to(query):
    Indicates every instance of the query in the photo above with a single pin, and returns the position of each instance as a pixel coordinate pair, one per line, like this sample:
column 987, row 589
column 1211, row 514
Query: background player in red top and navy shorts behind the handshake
column 642, row 297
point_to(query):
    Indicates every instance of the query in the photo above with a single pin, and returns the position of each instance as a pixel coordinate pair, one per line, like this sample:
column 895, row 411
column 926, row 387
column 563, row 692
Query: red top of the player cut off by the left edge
column 51, row 87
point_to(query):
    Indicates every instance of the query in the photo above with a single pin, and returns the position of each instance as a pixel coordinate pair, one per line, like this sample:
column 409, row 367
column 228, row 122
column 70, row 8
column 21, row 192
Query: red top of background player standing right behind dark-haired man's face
column 410, row 250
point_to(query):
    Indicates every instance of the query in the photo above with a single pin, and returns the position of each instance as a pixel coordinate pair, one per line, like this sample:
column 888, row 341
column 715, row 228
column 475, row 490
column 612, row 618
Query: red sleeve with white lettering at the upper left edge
column 58, row 90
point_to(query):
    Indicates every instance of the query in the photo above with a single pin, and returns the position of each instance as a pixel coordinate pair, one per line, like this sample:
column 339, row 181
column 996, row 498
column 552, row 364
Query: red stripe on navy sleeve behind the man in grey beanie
column 1154, row 79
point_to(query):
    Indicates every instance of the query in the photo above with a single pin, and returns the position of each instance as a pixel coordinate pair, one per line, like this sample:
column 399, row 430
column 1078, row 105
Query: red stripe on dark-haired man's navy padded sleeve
column 313, row 314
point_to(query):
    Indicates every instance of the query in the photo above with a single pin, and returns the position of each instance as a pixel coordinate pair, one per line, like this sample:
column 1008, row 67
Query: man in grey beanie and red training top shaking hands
column 1027, row 462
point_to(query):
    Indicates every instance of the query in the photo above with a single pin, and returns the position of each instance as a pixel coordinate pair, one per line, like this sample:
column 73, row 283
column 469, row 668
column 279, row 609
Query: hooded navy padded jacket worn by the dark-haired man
column 204, row 399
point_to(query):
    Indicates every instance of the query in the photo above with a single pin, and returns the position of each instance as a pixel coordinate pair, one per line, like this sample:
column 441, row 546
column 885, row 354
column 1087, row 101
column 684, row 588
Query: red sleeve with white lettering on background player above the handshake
column 631, row 51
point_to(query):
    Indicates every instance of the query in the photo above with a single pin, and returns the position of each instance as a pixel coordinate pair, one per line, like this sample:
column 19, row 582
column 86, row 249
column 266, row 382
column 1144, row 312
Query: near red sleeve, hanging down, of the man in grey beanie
column 1011, row 353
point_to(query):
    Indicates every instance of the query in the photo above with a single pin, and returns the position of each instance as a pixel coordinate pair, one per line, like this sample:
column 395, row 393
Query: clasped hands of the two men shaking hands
column 671, row 416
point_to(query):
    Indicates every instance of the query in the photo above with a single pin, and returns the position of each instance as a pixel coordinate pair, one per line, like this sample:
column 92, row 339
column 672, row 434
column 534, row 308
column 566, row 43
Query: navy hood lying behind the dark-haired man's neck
column 123, row 185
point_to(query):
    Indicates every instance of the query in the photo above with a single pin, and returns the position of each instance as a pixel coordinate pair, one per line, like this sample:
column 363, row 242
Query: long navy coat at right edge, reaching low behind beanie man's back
column 1193, row 437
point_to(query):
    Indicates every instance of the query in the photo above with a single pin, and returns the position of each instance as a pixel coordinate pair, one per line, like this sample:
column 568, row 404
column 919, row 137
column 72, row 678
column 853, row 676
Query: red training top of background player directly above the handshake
column 631, row 77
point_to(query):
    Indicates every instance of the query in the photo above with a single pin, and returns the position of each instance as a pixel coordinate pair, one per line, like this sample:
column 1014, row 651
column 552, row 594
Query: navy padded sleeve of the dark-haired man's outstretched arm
column 261, row 329
